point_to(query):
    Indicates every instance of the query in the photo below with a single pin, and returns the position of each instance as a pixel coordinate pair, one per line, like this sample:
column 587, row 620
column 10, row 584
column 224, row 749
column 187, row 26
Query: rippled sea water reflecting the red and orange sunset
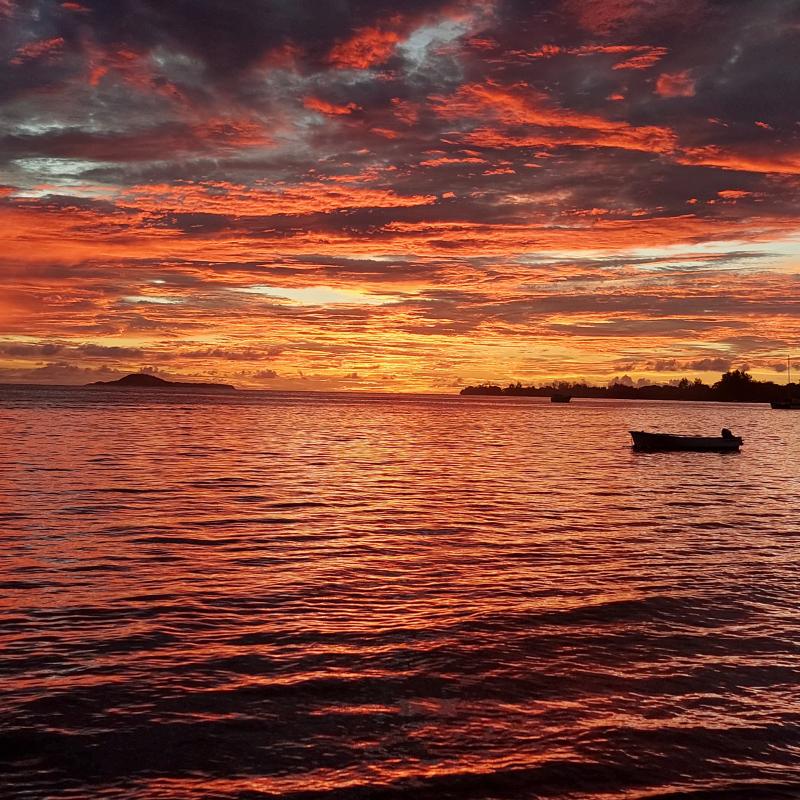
column 333, row 596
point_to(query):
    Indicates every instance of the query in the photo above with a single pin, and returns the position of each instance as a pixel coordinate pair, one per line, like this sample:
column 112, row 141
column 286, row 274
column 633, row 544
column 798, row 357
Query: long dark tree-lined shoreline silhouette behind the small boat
column 733, row 386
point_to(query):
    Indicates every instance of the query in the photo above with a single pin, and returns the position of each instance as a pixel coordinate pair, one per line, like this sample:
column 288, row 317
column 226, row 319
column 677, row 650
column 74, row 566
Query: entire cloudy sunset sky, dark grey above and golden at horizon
column 398, row 196
